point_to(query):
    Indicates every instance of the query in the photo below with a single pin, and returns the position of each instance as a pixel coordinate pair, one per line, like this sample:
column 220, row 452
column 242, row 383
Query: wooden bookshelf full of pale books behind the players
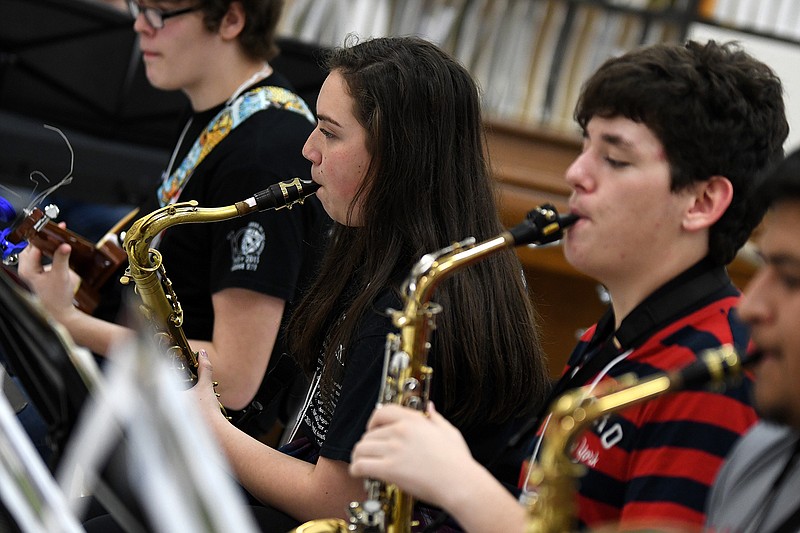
column 530, row 58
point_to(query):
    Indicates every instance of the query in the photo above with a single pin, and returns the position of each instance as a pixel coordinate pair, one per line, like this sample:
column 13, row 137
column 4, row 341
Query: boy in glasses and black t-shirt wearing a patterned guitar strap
column 235, row 279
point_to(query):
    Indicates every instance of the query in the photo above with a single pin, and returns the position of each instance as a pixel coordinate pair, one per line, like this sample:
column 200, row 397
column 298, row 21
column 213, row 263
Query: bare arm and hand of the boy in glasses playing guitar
column 246, row 325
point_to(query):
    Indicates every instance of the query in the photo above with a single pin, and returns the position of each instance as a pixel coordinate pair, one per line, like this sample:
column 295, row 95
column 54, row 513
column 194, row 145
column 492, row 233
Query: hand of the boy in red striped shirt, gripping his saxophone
column 423, row 455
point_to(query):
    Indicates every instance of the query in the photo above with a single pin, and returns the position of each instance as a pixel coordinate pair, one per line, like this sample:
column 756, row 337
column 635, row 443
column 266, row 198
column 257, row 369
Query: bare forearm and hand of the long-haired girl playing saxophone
column 303, row 490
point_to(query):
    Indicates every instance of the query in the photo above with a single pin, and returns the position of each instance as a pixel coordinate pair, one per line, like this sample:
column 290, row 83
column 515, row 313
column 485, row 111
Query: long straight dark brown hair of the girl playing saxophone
column 428, row 185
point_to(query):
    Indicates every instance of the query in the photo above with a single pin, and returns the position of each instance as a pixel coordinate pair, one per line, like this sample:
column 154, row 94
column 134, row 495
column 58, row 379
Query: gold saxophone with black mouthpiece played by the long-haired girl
column 160, row 306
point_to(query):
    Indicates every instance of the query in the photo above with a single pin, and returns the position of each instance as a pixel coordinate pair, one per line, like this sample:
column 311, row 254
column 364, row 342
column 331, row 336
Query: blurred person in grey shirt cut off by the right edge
column 758, row 488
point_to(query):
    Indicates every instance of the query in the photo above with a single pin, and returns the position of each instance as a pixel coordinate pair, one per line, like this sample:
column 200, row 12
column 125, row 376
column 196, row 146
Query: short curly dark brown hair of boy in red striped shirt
column 717, row 110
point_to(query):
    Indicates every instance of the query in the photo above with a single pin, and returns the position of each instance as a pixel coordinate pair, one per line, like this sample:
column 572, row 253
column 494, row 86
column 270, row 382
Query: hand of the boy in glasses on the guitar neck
column 55, row 284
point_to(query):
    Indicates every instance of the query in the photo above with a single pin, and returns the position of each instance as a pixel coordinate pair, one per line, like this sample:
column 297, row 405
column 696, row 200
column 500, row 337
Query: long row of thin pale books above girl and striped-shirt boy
column 530, row 57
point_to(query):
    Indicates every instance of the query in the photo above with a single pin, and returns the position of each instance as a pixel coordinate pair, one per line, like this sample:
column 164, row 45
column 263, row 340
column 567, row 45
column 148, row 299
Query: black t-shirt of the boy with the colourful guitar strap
column 272, row 252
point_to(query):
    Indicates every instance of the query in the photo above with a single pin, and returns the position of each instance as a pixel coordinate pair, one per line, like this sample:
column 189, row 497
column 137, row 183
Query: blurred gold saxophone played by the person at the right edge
column 552, row 510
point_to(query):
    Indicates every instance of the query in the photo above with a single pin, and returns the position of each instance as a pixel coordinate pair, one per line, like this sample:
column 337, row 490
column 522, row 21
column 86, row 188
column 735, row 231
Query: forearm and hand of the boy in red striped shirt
column 427, row 457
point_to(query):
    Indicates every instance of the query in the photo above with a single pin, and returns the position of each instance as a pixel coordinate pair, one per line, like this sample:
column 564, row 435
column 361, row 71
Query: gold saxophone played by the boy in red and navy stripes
column 407, row 377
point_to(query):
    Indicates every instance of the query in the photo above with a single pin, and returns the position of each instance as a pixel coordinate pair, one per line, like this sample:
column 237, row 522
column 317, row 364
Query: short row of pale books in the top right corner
column 780, row 18
